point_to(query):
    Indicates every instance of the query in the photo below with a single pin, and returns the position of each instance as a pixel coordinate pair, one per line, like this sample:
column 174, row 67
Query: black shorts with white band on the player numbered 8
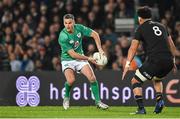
column 154, row 69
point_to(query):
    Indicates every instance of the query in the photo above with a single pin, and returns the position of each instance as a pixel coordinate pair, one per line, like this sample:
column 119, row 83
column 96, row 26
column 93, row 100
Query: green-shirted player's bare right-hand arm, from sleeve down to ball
column 96, row 37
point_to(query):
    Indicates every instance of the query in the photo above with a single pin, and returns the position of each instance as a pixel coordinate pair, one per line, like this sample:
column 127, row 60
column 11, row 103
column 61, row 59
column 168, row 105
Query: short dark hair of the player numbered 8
column 144, row 12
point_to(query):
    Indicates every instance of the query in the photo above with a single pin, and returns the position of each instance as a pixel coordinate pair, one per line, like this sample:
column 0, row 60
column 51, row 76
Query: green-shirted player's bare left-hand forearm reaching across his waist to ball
column 77, row 56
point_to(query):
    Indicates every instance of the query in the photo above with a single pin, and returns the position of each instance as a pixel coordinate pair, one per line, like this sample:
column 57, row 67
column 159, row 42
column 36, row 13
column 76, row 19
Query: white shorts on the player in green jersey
column 75, row 65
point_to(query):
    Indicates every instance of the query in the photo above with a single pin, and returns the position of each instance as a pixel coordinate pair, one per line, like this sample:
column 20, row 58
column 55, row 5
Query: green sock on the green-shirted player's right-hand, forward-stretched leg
column 95, row 91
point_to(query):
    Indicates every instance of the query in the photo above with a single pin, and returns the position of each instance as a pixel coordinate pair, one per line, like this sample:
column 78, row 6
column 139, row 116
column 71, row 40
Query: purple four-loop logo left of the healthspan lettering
column 27, row 88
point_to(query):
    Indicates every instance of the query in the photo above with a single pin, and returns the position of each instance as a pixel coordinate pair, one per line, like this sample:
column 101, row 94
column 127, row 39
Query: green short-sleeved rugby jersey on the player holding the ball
column 73, row 40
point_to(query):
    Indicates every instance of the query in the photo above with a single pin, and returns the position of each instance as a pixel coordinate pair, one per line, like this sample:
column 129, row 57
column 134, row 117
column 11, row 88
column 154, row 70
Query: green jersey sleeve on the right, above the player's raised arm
column 85, row 30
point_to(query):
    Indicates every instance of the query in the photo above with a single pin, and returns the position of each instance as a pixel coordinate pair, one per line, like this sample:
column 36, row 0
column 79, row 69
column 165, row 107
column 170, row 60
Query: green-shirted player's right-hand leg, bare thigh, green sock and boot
column 88, row 72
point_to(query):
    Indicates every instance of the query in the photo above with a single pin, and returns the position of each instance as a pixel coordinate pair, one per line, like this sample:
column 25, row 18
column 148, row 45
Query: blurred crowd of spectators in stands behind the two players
column 29, row 30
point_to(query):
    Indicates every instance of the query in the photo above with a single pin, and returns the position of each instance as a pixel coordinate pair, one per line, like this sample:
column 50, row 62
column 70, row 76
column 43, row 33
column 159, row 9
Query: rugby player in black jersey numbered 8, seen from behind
column 160, row 52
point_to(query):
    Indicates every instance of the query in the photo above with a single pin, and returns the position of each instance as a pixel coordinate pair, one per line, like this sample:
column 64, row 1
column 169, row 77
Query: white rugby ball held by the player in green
column 100, row 59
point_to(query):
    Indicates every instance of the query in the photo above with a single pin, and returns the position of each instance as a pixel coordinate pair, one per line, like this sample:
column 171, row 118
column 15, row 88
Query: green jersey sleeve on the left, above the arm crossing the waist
column 64, row 42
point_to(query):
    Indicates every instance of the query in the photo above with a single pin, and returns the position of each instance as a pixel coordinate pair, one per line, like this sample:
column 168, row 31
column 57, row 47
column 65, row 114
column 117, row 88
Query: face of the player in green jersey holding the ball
column 69, row 24
